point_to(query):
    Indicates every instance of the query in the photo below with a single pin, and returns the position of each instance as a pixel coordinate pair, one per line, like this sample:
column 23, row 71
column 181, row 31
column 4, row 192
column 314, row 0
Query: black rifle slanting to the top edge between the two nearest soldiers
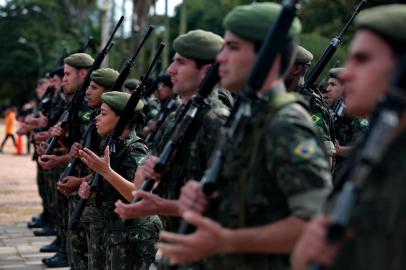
column 331, row 49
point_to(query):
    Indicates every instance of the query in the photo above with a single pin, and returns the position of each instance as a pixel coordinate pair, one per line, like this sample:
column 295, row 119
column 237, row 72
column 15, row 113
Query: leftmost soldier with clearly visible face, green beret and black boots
column 75, row 71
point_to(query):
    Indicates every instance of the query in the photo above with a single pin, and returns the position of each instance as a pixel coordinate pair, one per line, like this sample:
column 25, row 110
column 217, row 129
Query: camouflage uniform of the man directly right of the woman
column 192, row 158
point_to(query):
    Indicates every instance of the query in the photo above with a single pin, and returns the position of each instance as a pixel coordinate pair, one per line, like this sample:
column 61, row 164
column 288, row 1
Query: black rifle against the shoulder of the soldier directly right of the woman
column 193, row 106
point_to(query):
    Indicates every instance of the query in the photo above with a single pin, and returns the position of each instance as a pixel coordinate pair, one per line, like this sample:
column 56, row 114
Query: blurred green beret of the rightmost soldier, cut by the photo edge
column 389, row 21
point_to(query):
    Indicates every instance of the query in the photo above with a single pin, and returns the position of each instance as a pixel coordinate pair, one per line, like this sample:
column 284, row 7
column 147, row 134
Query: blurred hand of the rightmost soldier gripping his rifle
column 313, row 246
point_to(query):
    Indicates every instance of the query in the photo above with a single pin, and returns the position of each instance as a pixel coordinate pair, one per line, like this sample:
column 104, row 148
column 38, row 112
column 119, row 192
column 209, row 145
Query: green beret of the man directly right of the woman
column 198, row 44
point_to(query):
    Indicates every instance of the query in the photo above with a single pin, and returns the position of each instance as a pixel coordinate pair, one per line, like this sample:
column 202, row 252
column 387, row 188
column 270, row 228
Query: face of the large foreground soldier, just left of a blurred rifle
column 236, row 60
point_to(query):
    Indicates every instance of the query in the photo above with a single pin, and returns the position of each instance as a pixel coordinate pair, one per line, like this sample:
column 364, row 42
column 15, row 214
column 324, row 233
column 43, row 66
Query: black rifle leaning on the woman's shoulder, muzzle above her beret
column 118, row 130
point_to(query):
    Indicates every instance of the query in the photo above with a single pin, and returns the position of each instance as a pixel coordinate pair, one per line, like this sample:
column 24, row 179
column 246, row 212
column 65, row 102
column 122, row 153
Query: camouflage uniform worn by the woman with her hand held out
column 126, row 246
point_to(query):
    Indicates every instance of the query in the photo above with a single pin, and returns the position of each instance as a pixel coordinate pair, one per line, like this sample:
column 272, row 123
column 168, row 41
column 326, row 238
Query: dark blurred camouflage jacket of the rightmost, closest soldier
column 379, row 218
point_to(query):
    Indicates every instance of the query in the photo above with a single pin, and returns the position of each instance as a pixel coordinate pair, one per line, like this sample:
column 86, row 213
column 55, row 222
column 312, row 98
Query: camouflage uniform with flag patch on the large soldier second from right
column 273, row 168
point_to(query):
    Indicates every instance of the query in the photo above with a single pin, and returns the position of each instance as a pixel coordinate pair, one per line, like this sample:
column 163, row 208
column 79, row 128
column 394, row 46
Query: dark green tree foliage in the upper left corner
column 33, row 34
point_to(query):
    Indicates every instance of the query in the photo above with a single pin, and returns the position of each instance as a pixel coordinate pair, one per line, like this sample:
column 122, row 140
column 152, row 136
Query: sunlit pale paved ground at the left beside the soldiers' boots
column 19, row 200
